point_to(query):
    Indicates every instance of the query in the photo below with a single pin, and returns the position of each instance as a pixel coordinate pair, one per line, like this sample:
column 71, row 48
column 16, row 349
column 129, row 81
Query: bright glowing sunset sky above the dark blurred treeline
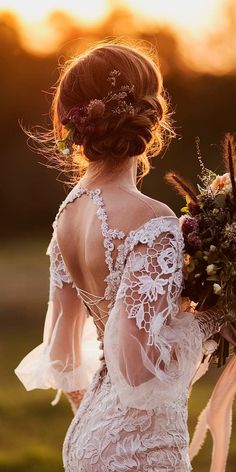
column 203, row 28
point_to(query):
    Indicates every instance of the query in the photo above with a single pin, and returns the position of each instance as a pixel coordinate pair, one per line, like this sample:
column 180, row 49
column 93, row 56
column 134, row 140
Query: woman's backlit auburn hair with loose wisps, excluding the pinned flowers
column 117, row 137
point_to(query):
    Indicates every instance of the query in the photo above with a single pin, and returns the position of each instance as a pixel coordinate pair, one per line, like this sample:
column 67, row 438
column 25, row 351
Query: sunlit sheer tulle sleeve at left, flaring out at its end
column 68, row 355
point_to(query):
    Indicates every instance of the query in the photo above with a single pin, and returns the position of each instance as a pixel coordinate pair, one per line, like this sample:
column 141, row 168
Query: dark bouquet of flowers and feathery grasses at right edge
column 209, row 231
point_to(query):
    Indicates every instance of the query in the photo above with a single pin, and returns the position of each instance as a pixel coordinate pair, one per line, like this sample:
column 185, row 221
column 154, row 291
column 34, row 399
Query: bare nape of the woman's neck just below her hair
column 125, row 177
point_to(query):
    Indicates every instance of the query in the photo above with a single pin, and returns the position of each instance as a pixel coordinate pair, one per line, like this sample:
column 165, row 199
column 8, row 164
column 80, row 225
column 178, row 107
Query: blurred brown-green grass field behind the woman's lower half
column 31, row 430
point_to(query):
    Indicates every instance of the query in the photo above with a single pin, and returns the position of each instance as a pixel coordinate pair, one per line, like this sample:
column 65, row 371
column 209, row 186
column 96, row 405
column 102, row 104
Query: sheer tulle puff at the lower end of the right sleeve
column 133, row 370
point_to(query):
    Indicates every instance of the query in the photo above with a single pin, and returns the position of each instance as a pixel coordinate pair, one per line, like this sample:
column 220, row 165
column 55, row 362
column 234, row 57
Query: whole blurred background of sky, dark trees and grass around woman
column 196, row 42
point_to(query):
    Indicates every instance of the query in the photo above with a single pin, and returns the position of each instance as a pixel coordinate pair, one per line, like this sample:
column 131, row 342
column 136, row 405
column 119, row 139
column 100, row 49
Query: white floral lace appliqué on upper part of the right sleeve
column 149, row 275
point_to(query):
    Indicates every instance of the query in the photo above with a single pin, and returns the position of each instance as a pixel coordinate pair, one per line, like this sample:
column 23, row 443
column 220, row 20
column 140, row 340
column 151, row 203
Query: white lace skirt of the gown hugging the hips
column 150, row 441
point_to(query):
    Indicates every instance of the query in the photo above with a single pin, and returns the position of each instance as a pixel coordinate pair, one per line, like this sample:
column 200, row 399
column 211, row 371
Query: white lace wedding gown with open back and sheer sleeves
column 133, row 416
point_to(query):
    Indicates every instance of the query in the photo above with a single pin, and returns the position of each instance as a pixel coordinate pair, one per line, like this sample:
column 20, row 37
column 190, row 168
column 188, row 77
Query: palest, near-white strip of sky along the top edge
column 190, row 14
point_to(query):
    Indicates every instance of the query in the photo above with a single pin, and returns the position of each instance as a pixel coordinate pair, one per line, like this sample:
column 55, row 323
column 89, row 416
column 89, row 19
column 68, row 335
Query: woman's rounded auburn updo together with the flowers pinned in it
column 136, row 124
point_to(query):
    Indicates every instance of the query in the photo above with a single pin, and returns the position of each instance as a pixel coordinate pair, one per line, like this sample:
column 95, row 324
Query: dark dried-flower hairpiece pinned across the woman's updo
column 81, row 120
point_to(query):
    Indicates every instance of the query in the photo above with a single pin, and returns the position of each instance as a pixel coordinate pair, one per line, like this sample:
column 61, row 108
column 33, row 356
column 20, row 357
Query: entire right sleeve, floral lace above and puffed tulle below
column 152, row 348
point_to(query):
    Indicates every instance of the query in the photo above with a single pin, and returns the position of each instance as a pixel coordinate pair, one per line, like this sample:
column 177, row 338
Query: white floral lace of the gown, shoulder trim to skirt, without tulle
column 105, row 435
